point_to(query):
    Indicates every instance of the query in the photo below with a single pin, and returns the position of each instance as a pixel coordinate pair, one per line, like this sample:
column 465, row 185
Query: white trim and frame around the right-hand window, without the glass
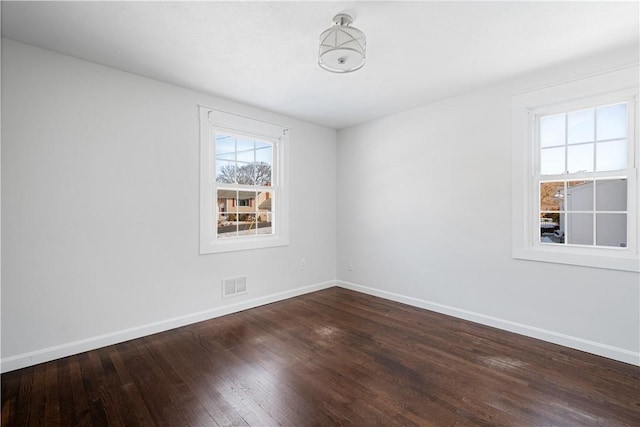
column 525, row 107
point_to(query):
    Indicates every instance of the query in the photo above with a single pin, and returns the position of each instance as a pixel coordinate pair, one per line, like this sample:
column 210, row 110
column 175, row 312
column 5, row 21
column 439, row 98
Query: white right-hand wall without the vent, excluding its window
column 424, row 216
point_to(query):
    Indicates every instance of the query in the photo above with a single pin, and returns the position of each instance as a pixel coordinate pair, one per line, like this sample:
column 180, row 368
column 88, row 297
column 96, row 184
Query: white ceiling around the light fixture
column 265, row 53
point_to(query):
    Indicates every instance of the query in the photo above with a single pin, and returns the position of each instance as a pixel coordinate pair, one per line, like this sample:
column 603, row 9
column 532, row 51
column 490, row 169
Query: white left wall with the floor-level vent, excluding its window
column 100, row 209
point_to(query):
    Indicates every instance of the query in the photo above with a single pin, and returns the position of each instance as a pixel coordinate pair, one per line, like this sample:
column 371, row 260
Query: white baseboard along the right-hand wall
column 597, row 348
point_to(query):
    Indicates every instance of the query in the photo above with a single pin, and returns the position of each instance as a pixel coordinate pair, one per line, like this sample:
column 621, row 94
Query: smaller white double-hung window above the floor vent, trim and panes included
column 243, row 191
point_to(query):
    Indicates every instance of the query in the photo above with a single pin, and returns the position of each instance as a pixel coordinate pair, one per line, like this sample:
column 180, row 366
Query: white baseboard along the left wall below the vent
column 75, row 347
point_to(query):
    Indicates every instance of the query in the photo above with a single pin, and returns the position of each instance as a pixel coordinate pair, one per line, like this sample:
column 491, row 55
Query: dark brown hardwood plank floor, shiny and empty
column 333, row 357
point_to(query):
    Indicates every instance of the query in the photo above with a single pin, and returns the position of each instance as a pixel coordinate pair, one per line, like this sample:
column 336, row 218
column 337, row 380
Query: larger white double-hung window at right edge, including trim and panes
column 575, row 174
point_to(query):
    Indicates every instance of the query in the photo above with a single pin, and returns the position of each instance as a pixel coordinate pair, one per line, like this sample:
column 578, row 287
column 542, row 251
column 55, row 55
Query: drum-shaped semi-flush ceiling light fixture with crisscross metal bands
column 342, row 47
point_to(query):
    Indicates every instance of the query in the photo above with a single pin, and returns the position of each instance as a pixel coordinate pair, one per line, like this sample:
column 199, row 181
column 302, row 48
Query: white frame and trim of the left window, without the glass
column 211, row 122
